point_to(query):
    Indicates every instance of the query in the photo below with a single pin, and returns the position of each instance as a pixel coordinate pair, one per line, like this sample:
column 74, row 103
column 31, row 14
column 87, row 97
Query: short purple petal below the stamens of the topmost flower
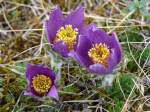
column 61, row 48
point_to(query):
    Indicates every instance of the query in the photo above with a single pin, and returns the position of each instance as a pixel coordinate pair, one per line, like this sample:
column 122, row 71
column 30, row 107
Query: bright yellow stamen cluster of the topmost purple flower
column 68, row 35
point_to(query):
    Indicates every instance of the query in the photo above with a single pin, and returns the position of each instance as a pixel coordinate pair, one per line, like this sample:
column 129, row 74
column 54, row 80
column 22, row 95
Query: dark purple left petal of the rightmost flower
column 81, row 53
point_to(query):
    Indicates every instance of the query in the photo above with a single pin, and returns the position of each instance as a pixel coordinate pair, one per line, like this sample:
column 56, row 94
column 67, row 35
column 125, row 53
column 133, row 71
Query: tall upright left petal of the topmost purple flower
column 54, row 23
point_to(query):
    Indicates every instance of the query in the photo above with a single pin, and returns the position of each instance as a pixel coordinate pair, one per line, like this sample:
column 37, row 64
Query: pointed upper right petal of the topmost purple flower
column 76, row 18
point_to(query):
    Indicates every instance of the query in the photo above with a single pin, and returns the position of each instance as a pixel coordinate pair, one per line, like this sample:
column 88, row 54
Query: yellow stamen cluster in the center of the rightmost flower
column 99, row 54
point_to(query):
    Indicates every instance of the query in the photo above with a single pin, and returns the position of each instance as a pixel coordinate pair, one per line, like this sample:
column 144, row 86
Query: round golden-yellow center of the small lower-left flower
column 41, row 84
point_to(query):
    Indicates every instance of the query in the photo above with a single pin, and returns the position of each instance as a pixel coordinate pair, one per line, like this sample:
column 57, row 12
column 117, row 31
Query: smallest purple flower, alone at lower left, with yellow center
column 41, row 81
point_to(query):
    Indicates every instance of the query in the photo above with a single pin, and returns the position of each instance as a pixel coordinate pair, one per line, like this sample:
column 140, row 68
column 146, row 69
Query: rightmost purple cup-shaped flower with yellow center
column 98, row 52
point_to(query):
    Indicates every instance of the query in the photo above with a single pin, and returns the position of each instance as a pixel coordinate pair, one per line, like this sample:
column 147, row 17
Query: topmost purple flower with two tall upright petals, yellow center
column 62, row 32
